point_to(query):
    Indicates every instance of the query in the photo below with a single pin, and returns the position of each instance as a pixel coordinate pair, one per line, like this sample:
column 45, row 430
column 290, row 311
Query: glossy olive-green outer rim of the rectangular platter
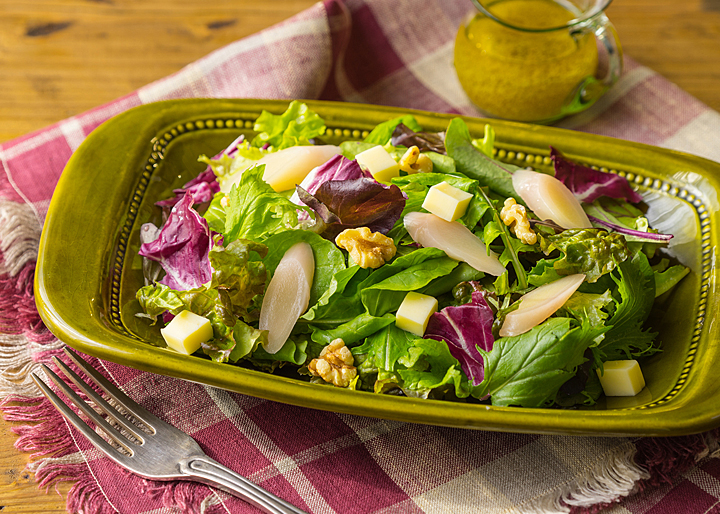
column 697, row 416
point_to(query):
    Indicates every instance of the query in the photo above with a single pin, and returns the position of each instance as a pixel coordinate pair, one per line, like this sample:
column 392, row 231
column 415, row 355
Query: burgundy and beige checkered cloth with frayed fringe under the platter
column 391, row 52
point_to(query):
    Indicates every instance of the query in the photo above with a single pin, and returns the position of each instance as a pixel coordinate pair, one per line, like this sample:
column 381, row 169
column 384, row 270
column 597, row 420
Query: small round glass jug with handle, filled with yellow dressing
column 535, row 60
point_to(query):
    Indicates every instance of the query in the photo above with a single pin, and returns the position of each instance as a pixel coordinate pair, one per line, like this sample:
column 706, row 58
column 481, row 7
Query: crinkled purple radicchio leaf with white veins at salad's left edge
column 182, row 247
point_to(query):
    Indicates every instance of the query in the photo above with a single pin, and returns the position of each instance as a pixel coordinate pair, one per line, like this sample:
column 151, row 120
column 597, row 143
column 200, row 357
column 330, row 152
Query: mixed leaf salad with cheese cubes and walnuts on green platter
column 407, row 263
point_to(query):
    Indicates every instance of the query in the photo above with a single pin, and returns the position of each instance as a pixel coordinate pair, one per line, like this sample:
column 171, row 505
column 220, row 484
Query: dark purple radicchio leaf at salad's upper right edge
column 588, row 184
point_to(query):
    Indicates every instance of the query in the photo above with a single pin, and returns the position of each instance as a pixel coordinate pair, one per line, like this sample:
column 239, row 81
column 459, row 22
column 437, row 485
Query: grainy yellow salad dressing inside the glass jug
column 519, row 75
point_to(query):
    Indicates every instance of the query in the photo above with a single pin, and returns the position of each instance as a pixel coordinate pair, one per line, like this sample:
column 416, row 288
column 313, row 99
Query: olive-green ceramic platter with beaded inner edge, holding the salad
column 88, row 269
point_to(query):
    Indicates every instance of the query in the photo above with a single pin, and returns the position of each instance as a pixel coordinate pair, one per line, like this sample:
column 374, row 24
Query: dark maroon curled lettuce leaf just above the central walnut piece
column 363, row 202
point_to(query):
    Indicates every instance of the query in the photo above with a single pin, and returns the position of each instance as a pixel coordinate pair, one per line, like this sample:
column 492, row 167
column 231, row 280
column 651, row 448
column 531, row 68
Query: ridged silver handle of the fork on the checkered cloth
column 210, row 472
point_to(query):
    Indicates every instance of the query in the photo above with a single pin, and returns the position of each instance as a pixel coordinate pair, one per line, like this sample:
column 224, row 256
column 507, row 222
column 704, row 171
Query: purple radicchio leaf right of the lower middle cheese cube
column 465, row 328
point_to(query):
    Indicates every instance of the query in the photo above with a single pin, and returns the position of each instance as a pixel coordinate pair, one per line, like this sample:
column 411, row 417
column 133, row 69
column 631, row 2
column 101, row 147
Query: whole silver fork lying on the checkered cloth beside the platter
column 154, row 449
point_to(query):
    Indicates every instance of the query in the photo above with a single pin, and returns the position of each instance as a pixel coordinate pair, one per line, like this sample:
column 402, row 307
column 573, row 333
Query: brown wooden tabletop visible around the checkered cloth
column 60, row 58
